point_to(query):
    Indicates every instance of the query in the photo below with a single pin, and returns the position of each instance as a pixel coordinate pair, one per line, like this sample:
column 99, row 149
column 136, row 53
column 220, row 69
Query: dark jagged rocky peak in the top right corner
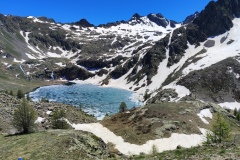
column 217, row 17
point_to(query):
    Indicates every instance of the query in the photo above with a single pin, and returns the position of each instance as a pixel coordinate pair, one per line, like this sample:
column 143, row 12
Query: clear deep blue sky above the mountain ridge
column 101, row 11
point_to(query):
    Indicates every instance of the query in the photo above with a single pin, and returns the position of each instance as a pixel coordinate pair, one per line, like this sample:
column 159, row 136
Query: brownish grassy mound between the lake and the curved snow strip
column 155, row 121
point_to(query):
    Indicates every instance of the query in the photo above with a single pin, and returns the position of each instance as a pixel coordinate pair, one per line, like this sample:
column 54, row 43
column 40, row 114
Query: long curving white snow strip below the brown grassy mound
column 126, row 148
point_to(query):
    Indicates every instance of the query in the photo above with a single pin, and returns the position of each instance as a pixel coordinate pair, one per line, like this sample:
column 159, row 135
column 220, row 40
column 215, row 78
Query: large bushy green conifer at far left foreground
column 24, row 117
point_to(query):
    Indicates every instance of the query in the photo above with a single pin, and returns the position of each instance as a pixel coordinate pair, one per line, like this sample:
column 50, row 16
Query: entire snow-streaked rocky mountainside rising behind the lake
column 147, row 54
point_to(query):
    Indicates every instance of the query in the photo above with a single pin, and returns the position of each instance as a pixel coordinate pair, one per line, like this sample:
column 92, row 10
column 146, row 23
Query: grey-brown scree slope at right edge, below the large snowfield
column 217, row 83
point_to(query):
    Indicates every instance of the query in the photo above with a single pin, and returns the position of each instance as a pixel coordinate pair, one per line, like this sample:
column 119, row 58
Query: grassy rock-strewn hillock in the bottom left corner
column 51, row 145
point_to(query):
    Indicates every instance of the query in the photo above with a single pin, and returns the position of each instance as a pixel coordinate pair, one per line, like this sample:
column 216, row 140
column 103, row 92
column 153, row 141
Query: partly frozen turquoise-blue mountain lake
column 93, row 99
